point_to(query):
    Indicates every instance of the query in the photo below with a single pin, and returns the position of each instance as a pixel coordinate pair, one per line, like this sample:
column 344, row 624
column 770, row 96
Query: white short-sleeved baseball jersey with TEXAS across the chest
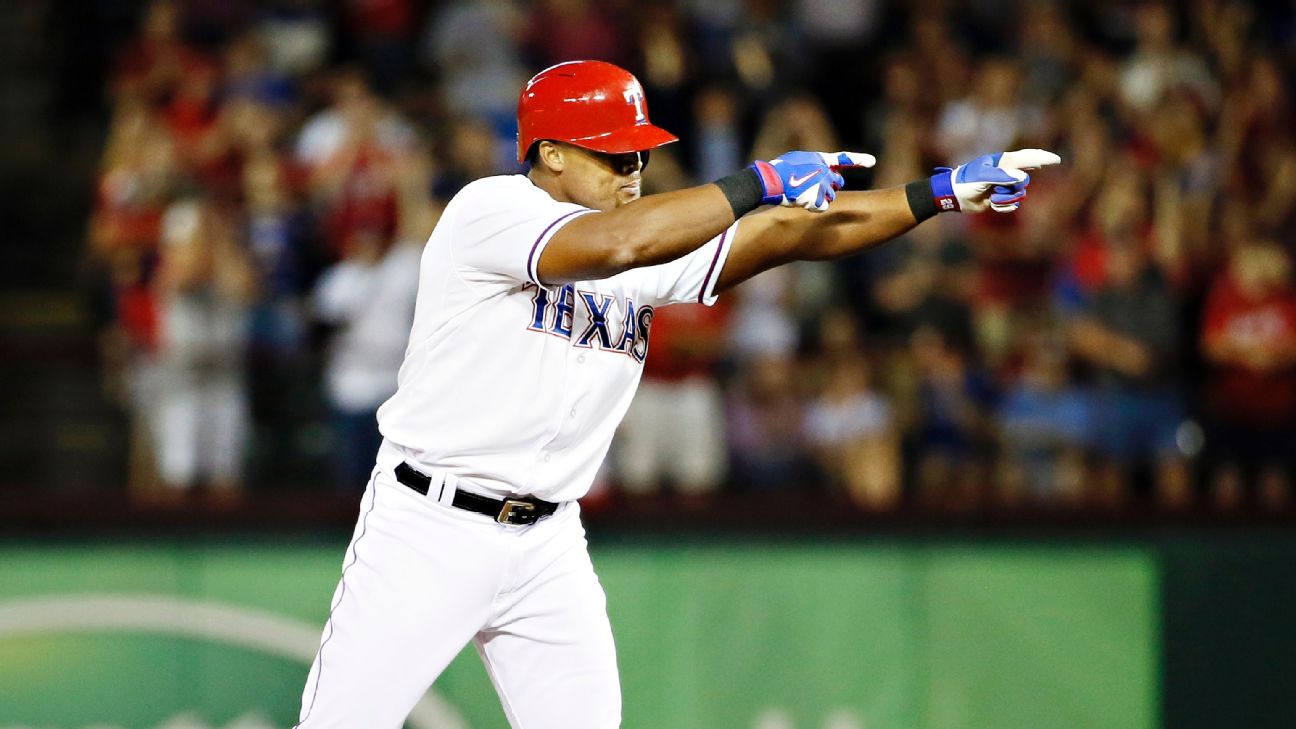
column 515, row 387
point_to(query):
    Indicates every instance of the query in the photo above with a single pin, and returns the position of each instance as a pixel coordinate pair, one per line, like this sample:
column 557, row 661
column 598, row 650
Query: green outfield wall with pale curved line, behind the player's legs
column 196, row 634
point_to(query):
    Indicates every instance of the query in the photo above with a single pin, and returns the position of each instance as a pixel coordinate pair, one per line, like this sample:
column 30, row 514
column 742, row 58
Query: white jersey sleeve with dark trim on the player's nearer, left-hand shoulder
column 502, row 226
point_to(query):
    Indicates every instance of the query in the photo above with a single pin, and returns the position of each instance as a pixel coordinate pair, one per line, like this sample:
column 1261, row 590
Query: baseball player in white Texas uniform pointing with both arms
column 535, row 311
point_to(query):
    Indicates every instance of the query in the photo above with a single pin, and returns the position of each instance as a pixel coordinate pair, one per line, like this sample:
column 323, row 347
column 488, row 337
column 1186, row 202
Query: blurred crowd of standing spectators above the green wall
column 1128, row 339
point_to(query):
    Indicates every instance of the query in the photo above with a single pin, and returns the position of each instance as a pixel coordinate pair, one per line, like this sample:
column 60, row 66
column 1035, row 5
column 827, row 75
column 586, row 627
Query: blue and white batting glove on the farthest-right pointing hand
column 997, row 182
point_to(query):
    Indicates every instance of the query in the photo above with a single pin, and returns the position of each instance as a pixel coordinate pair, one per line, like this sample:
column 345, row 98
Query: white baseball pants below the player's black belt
column 422, row 579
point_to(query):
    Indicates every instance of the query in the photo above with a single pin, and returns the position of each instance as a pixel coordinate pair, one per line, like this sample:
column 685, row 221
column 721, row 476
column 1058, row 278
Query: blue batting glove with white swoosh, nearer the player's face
column 807, row 180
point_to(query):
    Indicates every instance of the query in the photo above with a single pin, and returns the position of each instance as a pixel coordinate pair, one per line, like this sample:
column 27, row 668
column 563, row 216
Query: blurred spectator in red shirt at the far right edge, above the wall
column 1250, row 339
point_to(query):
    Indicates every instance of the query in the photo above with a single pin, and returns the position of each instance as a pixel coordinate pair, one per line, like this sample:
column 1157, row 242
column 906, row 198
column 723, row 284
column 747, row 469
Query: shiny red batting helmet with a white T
column 589, row 104
